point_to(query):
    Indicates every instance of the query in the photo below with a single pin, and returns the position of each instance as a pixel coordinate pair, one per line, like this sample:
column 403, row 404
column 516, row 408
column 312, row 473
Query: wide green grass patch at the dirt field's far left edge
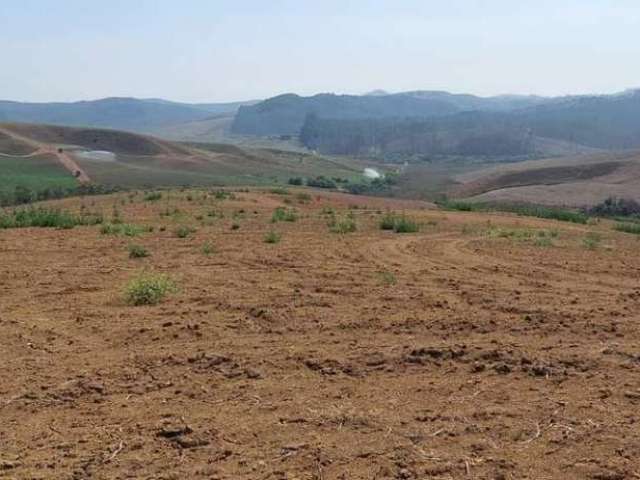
column 46, row 218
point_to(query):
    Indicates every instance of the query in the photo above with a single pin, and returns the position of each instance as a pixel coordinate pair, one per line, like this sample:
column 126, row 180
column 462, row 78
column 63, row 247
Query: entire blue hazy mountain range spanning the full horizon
column 422, row 123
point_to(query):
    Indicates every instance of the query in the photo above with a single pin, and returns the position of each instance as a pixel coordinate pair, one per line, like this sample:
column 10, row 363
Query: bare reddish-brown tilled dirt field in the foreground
column 483, row 347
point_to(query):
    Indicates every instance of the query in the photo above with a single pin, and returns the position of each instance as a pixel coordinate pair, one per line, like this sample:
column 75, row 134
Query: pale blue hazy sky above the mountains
column 229, row 50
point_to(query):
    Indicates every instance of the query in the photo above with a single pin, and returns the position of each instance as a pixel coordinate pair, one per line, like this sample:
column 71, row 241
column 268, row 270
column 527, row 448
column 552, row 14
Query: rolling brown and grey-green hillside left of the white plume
column 146, row 161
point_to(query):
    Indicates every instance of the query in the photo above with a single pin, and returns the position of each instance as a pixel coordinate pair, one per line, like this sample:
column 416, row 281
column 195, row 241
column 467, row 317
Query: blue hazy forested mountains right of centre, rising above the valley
column 441, row 123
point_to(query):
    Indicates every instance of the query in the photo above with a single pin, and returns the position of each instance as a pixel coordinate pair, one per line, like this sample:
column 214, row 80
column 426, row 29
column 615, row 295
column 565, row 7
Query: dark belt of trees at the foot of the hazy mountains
column 471, row 134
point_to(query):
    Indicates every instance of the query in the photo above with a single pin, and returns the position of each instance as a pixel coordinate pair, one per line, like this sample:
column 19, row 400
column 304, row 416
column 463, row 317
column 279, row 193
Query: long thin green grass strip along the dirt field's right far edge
column 523, row 210
